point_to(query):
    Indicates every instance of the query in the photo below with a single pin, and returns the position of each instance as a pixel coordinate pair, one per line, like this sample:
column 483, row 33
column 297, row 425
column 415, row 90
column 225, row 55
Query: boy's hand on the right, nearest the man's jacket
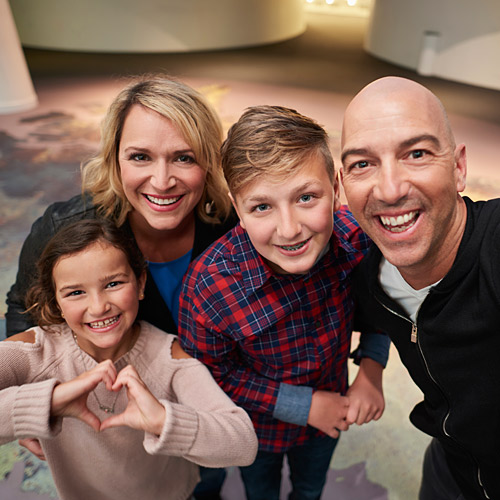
column 366, row 396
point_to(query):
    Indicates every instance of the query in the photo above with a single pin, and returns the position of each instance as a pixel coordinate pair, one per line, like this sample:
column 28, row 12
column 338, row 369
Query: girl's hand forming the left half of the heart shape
column 69, row 399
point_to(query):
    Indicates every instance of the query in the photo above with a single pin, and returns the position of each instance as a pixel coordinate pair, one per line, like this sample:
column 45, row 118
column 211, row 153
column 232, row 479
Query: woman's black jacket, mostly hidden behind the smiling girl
column 152, row 308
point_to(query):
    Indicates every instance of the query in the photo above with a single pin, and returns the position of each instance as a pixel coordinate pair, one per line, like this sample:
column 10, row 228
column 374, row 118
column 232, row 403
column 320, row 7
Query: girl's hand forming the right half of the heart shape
column 143, row 412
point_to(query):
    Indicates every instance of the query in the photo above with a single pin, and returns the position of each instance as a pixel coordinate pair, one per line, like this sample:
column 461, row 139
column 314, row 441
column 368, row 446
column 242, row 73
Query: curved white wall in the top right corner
column 453, row 39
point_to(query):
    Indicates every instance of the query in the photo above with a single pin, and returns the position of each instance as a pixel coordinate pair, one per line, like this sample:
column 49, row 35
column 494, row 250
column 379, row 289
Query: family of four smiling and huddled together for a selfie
column 192, row 309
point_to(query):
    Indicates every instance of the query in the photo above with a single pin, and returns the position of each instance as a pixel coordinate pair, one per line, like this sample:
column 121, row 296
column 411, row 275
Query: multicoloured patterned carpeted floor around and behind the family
column 317, row 74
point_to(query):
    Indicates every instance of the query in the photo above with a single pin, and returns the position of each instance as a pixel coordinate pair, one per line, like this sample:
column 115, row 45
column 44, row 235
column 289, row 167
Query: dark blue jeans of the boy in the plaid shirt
column 308, row 464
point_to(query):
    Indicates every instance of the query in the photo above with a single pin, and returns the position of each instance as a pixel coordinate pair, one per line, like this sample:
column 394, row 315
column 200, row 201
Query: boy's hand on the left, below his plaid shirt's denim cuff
column 328, row 412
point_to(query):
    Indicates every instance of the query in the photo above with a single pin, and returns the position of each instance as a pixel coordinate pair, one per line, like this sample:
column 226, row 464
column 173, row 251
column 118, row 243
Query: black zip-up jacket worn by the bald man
column 452, row 352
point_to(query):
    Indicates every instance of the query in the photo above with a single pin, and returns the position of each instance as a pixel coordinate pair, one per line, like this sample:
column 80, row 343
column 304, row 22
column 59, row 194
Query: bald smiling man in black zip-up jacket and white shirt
column 433, row 280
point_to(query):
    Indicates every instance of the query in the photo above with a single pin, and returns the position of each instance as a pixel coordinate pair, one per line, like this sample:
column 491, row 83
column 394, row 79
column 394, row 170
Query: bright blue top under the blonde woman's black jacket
column 168, row 278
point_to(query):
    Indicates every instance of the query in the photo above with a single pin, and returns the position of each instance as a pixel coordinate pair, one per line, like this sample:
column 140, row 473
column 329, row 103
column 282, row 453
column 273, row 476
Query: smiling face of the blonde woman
column 160, row 174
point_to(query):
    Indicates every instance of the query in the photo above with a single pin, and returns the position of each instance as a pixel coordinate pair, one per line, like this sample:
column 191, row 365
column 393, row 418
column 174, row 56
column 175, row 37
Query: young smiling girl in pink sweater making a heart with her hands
column 143, row 412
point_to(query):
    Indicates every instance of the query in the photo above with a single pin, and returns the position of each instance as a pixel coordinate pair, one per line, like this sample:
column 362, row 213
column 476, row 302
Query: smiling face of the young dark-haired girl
column 98, row 294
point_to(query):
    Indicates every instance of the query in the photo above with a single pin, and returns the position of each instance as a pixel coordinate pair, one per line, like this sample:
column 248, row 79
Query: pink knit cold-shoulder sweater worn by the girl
column 202, row 424
